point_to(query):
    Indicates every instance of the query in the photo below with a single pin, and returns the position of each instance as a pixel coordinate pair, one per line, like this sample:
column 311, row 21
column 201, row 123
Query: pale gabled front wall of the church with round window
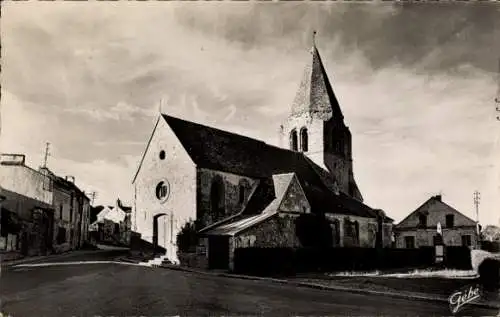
column 165, row 160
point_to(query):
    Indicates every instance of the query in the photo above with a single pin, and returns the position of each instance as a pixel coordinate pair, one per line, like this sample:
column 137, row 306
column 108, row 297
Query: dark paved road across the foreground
column 126, row 290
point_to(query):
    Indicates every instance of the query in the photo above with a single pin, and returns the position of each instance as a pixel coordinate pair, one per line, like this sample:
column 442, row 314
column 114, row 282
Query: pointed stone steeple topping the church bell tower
column 315, row 95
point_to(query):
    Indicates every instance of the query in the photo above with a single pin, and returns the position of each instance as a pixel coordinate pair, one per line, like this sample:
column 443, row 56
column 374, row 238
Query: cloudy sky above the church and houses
column 416, row 84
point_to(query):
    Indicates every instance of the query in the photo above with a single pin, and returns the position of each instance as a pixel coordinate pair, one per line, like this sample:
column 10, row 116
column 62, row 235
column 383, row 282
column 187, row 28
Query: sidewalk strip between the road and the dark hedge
column 357, row 285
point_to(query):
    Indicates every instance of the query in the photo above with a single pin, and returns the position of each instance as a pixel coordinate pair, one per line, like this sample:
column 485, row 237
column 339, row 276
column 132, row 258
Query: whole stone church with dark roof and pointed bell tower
column 242, row 192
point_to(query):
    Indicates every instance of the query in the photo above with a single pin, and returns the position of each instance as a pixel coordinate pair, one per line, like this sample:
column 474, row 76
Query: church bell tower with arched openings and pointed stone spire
column 315, row 126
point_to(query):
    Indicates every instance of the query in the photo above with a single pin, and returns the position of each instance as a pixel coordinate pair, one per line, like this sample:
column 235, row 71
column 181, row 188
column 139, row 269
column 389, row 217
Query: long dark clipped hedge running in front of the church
column 287, row 261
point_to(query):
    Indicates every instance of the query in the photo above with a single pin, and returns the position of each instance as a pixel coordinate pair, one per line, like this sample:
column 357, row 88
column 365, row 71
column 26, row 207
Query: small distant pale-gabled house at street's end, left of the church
column 112, row 224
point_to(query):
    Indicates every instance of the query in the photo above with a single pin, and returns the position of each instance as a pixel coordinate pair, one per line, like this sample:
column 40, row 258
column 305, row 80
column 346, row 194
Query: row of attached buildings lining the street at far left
column 42, row 212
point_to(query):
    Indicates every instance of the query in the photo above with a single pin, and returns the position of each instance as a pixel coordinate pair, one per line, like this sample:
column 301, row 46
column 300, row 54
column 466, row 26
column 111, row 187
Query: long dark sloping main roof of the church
column 232, row 153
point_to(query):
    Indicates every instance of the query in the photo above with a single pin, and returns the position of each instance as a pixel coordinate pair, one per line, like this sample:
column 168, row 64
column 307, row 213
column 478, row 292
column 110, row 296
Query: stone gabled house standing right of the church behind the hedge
column 419, row 229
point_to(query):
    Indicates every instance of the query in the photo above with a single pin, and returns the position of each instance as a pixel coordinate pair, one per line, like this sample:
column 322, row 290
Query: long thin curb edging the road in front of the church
column 323, row 287
